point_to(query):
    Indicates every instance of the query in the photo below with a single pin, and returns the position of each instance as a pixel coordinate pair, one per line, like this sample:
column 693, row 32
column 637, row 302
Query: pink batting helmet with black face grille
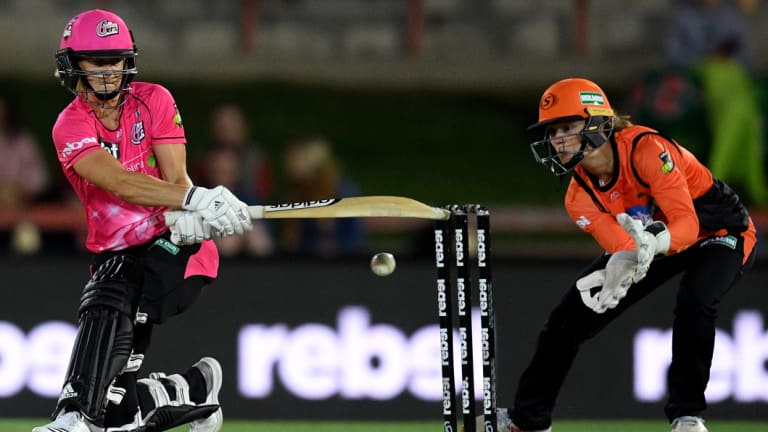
column 95, row 34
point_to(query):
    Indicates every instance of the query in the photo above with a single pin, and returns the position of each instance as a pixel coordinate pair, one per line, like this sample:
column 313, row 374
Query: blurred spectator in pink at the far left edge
column 23, row 175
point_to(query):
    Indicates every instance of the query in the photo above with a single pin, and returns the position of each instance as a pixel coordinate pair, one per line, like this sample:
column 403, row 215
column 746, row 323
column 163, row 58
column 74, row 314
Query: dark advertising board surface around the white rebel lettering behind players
column 314, row 290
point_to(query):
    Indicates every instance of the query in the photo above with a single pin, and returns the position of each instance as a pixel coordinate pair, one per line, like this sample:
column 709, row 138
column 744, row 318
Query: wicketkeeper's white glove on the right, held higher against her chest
column 650, row 240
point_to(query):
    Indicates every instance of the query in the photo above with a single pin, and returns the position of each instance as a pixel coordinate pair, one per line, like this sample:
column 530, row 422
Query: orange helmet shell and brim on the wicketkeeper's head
column 571, row 99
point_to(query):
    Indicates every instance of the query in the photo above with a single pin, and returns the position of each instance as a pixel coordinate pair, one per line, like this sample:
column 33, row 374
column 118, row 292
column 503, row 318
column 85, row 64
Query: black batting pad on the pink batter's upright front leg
column 104, row 336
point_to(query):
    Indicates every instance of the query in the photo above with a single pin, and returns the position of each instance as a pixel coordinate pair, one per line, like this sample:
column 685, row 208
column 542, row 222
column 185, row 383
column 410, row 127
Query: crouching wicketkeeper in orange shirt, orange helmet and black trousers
column 657, row 212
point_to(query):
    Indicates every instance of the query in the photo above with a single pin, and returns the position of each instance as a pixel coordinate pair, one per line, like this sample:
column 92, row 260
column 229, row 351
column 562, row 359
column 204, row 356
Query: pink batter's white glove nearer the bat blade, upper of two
column 220, row 208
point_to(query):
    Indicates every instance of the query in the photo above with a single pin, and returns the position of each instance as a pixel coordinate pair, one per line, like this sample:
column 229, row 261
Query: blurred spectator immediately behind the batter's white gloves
column 224, row 167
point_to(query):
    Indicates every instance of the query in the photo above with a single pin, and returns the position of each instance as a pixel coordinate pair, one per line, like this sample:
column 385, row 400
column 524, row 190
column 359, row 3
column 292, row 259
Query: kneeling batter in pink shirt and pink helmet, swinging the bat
column 121, row 145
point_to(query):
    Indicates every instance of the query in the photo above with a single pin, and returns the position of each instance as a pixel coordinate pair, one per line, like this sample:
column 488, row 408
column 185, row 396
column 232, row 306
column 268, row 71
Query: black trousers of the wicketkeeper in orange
column 709, row 271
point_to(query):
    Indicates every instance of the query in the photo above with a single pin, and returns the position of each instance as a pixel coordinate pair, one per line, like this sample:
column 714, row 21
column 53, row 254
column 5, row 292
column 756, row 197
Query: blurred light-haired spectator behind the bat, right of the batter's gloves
column 313, row 173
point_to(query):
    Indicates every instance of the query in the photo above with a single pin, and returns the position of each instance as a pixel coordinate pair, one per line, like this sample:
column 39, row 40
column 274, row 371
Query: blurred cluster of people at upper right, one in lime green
column 706, row 94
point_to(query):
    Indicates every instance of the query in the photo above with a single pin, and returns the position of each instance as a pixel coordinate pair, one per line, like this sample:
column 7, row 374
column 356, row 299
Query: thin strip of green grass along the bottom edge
column 13, row 425
